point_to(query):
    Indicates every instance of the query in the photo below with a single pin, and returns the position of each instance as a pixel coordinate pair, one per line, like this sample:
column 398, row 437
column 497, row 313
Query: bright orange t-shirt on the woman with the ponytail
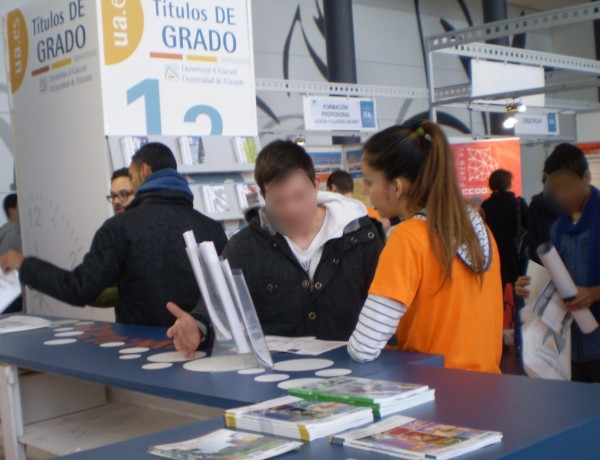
column 461, row 321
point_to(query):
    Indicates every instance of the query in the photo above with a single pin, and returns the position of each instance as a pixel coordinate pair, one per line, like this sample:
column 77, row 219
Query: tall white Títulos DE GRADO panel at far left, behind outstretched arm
column 62, row 165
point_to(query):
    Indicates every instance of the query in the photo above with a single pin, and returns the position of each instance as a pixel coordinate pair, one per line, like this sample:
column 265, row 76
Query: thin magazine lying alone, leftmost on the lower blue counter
column 225, row 445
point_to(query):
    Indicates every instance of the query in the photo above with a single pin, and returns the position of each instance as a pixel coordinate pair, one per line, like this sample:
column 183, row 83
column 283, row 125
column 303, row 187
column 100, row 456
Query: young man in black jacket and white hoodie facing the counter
column 308, row 257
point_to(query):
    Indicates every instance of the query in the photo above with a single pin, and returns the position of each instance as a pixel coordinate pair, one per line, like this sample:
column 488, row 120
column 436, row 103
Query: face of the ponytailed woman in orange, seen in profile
column 385, row 195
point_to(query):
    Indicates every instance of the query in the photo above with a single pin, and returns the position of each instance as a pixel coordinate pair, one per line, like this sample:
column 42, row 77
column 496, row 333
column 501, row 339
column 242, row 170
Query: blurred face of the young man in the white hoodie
column 292, row 203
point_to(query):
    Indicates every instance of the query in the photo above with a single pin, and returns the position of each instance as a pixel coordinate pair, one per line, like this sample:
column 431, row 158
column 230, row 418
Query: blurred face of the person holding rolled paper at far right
column 569, row 190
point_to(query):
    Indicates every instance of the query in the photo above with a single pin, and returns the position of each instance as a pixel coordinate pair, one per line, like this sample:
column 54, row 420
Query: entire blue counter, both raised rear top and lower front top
column 539, row 418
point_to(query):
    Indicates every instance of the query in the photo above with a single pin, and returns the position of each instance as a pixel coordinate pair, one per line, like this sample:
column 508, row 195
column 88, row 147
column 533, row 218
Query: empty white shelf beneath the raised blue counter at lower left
column 97, row 427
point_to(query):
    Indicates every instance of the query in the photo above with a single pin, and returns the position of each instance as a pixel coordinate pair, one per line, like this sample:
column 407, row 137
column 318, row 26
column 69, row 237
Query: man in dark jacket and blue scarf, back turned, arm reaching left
column 142, row 250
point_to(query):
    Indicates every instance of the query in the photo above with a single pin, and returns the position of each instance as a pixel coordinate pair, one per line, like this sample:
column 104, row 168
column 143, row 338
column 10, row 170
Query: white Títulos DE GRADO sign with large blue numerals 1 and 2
column 178, row 67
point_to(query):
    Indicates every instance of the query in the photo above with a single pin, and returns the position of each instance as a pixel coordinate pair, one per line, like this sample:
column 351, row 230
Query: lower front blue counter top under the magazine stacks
column 539, row 419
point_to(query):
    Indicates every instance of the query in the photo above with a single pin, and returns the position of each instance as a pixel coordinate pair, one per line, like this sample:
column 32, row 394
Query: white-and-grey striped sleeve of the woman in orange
column 377, row 322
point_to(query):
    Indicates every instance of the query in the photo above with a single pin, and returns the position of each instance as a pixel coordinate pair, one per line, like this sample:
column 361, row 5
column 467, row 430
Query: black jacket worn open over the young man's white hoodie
column 287, row 302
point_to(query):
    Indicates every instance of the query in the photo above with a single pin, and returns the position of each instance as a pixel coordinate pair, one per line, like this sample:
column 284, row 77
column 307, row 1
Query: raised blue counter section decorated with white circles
column 85, row 359
